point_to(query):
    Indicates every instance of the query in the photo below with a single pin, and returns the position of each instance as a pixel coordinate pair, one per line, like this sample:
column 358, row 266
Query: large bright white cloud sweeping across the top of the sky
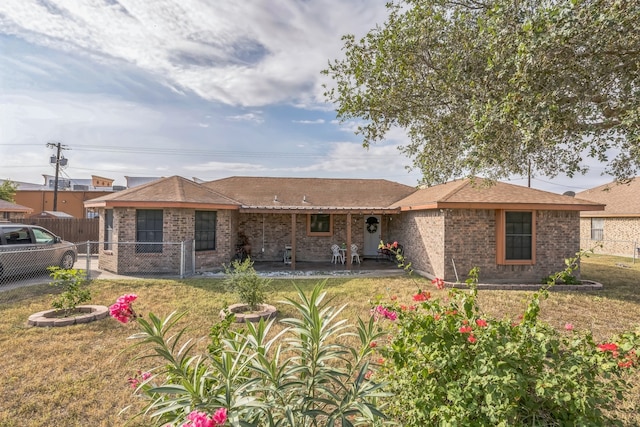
column 239, row 53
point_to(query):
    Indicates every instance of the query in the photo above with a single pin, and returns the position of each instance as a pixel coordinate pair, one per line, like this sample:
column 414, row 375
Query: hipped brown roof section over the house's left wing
column 173, row 191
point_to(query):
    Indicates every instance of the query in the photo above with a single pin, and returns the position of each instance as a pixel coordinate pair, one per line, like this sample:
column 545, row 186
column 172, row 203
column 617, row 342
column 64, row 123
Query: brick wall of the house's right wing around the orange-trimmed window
column 435, row 240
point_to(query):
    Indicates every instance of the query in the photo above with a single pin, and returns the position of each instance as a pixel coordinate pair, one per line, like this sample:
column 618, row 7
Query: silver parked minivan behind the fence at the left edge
column 28, row 248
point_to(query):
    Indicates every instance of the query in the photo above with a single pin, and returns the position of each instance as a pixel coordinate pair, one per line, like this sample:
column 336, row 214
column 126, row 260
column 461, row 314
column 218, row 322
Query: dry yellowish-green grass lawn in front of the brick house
column 77, row 376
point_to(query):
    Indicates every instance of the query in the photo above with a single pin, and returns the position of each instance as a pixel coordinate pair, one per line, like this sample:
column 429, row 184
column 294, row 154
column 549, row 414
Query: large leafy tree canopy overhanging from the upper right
column 490, row 86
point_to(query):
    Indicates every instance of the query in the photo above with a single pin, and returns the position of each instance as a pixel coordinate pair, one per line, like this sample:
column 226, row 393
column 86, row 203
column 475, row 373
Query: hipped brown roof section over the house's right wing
column 480, row 194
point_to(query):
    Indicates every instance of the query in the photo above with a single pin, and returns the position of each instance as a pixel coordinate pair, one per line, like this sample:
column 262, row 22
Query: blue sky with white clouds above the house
column 196, row 88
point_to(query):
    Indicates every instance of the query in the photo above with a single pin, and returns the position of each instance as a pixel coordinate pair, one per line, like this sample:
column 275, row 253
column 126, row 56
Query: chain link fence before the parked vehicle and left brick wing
column 27, row 267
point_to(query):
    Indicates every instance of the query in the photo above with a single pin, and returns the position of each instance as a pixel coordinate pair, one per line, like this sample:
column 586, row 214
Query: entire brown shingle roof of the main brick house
column 267, row 193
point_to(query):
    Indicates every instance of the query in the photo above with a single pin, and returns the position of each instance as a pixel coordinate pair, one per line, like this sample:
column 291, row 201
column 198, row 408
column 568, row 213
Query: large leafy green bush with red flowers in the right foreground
column 448, row 364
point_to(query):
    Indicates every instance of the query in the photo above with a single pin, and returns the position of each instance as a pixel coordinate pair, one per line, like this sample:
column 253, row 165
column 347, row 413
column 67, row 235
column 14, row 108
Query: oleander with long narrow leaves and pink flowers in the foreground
column 300, row 377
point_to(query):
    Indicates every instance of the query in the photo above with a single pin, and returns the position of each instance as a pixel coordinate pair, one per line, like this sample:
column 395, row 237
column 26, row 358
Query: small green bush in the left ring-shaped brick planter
column 74, row 282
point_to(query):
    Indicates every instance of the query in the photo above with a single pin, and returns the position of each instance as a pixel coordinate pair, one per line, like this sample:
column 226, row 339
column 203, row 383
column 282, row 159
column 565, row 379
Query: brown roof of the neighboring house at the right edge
column 620, row 199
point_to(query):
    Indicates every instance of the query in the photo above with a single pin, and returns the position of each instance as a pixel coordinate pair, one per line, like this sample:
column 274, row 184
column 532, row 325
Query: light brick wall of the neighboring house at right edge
column 621, row 236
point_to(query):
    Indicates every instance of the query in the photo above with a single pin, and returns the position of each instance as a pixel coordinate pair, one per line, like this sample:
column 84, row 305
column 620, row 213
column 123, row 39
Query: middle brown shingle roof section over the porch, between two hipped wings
column 268, row 193
